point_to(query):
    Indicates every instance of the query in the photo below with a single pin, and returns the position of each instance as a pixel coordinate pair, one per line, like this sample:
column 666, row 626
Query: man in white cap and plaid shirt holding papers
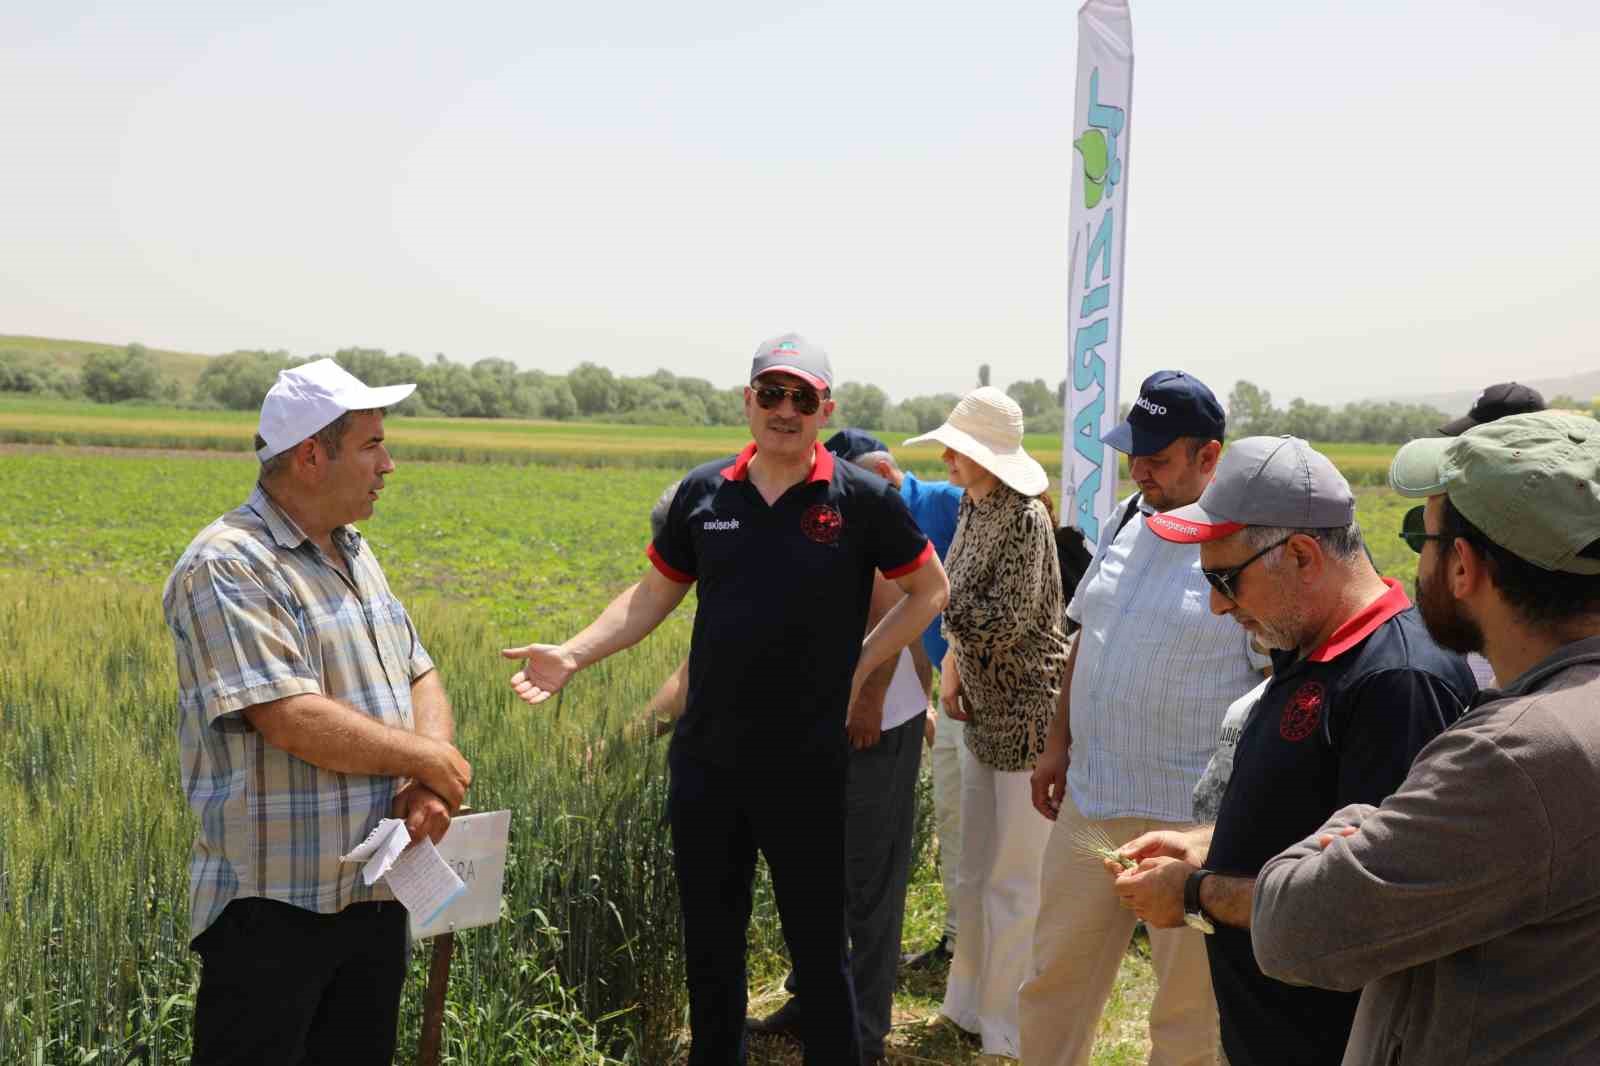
column 308, row 711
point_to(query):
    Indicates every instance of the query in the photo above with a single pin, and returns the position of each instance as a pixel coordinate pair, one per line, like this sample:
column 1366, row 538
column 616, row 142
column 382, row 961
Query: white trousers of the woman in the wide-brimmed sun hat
column 1002, row 849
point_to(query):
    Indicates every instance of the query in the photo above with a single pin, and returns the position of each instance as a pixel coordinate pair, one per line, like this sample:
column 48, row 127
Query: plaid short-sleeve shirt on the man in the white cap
column 258, row 614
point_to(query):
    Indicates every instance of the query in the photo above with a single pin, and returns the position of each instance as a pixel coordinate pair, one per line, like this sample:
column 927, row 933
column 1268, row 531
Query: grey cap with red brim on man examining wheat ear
column 1263, row 481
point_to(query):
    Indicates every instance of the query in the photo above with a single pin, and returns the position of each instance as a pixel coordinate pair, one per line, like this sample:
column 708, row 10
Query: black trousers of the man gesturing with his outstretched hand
column 793, row 811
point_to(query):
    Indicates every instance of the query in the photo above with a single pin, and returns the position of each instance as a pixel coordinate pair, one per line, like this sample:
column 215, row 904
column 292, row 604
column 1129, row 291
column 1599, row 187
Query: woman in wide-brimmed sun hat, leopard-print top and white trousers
column 1002, row 676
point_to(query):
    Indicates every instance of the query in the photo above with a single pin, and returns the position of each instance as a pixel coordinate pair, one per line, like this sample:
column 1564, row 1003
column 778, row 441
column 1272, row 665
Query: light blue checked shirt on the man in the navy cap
column 1154, row 678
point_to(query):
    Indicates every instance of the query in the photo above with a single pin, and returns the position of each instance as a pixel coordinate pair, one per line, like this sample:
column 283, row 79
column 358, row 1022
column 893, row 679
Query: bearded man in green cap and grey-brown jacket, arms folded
column 1468, row 905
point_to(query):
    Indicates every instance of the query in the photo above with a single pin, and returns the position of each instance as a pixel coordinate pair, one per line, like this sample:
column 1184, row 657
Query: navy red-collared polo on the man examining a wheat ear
column 1340, row 726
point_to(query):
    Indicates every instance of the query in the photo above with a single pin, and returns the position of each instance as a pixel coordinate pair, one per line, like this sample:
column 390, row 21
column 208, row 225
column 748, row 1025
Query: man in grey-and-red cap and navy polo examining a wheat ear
column 1358, row 691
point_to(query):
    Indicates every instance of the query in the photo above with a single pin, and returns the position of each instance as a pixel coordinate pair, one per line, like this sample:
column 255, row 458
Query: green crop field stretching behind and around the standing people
column 585, row 966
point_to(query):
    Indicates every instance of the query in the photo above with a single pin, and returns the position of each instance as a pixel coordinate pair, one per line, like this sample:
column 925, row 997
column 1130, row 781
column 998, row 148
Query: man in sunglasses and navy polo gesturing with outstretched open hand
column 785, row 543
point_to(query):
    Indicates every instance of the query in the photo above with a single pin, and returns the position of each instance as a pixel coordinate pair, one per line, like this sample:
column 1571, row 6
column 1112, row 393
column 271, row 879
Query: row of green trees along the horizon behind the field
column 497, row 388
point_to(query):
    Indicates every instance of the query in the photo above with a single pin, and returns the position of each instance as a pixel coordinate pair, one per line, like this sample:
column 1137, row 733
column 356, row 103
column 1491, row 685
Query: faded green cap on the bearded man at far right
column 1530, row 483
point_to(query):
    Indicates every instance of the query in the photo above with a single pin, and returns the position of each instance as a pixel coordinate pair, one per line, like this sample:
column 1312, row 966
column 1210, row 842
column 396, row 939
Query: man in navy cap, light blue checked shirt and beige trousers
column 1142, row 707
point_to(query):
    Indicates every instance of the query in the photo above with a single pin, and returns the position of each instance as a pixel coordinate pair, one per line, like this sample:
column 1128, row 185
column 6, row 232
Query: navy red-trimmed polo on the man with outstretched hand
column 783, row 603
